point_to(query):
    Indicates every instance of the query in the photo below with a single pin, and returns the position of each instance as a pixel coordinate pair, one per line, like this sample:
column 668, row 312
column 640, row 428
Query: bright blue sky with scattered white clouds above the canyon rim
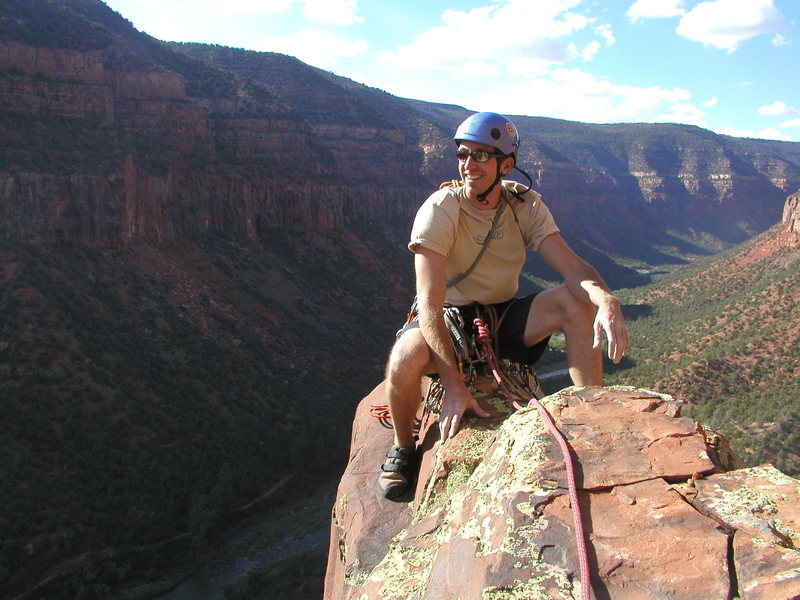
column 731, row 66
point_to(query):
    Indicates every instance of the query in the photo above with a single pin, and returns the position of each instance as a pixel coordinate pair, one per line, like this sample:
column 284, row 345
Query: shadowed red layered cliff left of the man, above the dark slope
column 98, row 150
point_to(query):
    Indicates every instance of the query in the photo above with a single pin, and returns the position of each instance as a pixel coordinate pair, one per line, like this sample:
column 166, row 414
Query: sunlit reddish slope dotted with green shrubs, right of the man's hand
column 723, row 333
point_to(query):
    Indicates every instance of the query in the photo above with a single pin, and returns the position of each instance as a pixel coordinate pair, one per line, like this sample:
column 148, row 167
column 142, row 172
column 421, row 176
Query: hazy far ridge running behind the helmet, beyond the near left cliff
column 633, row 189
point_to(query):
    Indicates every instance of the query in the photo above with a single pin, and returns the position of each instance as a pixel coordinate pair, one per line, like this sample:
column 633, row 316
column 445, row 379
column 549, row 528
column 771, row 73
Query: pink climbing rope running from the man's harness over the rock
column 580, row 538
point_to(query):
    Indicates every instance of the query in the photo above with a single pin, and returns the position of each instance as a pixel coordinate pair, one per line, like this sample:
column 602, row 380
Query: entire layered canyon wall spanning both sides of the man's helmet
column 115, row 137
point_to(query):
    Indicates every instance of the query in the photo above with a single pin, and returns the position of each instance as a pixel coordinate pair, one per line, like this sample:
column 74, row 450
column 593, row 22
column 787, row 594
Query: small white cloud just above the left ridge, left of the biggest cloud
column 318, row 48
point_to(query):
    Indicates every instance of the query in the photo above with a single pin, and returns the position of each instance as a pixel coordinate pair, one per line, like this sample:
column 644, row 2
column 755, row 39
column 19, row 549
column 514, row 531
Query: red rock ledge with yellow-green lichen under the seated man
column 490, row 515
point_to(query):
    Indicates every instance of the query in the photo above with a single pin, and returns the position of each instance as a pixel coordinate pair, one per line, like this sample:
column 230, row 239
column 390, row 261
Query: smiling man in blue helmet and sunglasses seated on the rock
column 449, row 232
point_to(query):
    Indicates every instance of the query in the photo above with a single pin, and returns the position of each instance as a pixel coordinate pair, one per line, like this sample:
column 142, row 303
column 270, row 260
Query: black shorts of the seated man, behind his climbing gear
column 514, row 316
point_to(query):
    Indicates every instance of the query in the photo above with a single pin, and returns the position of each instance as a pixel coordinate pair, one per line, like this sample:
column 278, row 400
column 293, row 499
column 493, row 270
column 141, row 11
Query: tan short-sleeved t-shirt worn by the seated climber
column 449, row 224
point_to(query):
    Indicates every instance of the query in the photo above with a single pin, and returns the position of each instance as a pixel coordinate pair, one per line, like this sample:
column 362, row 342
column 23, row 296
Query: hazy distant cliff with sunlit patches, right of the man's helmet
column 634, row 188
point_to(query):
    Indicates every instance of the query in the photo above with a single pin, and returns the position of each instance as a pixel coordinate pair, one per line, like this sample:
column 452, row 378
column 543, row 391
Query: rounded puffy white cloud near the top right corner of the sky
column 725, row 24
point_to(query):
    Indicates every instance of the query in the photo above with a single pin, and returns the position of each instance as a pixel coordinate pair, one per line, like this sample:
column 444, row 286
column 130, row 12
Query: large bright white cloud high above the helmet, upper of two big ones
column 462, row 37
